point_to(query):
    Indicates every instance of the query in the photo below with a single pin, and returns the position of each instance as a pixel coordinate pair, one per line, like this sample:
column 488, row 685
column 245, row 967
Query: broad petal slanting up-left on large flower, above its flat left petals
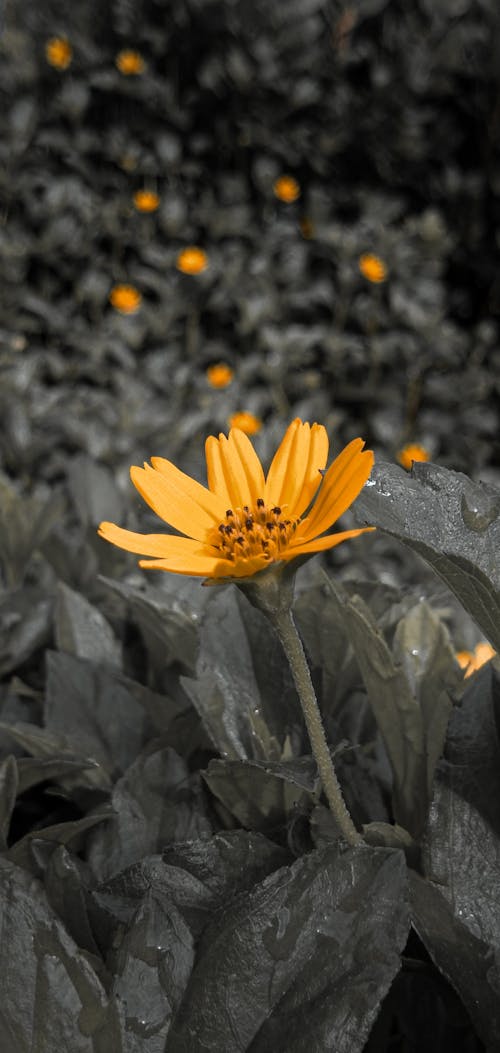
column 171, row 496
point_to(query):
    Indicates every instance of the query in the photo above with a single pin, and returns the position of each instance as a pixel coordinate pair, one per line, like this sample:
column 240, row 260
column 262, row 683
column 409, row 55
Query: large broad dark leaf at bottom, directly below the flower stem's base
column 303, row 962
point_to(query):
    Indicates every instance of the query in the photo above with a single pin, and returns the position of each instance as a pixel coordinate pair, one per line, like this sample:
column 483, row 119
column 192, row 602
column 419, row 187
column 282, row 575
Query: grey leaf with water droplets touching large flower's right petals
column 453, row 523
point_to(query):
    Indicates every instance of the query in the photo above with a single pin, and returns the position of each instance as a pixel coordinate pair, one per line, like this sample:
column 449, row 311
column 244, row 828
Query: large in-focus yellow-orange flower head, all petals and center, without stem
column 245, row 522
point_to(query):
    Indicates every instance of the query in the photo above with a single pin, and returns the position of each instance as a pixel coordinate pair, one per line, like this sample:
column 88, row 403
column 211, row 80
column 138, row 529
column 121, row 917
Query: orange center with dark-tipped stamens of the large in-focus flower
column 257, row 531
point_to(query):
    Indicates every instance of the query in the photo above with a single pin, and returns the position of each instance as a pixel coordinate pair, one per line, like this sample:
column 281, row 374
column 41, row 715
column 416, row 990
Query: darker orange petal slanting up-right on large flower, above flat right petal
column 342, row 486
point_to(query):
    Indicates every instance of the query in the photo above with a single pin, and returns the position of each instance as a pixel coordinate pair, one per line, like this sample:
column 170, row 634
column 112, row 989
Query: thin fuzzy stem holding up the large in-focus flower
column 285, row 625
